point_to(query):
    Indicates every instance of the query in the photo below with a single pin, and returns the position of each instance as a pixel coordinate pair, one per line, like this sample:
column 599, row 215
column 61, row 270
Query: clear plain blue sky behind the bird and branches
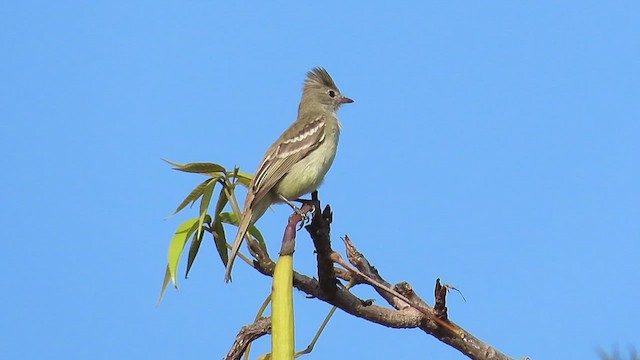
column 493, row 145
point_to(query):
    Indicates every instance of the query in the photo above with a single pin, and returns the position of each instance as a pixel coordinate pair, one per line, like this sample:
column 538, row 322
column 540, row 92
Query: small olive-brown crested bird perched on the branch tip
column 297, row 162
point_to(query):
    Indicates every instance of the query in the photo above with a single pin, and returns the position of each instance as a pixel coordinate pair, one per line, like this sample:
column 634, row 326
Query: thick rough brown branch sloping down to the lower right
column 402, row 315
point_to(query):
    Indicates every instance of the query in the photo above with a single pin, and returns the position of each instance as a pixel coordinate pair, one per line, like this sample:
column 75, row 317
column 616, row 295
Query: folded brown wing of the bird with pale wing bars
column 294, row 144
